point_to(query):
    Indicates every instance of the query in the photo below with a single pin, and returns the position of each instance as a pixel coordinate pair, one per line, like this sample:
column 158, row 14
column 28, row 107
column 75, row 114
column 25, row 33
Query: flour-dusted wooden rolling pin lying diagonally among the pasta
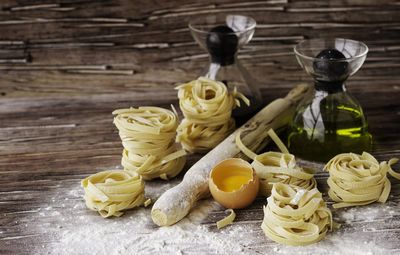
column 176, row 202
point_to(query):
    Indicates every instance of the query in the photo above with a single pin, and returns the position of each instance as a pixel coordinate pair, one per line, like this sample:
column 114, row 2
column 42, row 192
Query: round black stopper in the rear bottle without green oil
column 222, row 44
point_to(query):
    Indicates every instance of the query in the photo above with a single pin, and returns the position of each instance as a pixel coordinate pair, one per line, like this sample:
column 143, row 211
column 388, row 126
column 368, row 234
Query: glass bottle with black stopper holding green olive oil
column 330, row 121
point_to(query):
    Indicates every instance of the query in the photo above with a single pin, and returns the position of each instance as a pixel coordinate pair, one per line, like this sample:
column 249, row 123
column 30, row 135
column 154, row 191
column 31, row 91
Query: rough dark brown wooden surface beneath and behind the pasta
column 66, row 65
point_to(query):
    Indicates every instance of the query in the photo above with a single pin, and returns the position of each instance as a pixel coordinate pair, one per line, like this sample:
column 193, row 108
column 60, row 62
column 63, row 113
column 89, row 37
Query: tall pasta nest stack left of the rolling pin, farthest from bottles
column 148, row 137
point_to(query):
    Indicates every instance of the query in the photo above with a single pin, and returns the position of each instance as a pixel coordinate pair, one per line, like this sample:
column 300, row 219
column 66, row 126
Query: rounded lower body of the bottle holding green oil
column 329, row 124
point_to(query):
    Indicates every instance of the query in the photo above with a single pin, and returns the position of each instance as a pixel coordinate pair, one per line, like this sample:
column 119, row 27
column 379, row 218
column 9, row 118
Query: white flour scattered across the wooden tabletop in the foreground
column 77, row 230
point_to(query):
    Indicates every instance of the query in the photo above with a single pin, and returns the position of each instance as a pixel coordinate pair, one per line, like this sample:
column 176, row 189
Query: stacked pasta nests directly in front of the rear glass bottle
column 207, row 108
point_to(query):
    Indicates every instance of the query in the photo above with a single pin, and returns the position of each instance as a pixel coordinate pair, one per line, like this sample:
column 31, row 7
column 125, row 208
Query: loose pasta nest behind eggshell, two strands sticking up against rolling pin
column 273, row 167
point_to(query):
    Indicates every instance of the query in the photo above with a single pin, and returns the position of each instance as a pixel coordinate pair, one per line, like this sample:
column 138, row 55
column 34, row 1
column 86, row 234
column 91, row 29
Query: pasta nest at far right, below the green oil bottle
column 358, row 179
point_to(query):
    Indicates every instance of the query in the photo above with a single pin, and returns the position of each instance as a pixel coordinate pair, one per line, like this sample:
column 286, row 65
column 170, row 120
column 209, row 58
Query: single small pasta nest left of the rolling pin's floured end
column 110, row 192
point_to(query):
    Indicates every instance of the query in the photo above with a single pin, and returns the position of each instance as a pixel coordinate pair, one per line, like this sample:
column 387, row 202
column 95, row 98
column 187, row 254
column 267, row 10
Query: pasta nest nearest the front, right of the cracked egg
column 295, row 216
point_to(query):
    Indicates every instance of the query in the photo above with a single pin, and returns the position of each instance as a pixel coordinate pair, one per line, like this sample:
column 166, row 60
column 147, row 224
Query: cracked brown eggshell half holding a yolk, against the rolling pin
column 233, row 183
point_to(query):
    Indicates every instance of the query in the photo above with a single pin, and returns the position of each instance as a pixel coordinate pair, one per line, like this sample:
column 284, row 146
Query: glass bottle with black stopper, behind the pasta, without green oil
column 222, row 36
